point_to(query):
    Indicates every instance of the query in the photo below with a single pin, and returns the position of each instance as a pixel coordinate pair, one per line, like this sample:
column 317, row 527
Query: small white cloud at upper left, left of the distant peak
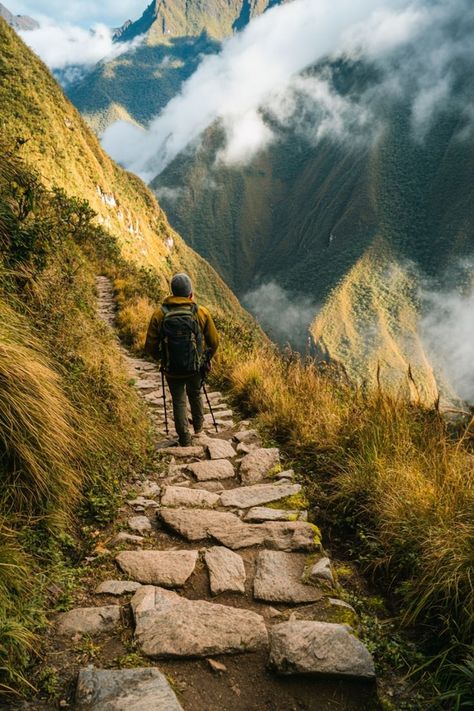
column 68, row 45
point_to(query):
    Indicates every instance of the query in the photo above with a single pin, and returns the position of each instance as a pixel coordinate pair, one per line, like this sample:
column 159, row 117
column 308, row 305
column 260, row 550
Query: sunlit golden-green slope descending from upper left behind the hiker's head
column 57, row 141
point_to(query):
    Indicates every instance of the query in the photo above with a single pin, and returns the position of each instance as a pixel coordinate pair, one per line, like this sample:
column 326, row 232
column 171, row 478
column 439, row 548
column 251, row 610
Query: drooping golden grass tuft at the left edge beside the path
column 37, row 436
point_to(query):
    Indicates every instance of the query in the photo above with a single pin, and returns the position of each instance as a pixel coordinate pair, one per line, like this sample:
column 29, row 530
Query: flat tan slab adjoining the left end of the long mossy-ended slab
column 195, row 525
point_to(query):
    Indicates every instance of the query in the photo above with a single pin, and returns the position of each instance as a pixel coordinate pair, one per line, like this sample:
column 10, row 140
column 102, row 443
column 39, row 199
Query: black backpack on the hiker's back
column 181, row 340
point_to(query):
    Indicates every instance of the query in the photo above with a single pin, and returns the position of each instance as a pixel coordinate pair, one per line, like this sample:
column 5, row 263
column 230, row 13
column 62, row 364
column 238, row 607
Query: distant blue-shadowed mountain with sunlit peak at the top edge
column 139, row 83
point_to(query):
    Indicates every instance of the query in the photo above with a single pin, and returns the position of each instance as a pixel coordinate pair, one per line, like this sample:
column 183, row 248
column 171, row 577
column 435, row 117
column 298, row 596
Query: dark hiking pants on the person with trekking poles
column 179, row 388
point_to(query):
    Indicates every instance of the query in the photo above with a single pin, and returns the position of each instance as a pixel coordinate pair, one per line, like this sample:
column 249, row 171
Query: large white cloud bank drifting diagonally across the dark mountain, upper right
column 259, row 73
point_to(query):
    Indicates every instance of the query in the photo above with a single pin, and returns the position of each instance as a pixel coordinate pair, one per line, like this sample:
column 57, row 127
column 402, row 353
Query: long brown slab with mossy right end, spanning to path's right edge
column 284, row 535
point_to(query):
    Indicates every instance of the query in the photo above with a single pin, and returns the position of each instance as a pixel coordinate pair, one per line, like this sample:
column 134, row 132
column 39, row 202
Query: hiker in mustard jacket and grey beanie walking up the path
column 183, row 337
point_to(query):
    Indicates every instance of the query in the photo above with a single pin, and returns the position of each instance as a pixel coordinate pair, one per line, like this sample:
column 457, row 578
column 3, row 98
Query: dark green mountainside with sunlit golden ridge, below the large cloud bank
column 345, row 225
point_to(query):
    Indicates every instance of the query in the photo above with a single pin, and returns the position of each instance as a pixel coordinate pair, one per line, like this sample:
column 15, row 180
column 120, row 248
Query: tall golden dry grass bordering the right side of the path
column 389, row 465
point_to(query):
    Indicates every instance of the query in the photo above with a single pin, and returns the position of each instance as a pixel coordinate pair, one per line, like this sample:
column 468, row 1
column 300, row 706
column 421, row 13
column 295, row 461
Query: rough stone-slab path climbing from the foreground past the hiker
column 221, row 580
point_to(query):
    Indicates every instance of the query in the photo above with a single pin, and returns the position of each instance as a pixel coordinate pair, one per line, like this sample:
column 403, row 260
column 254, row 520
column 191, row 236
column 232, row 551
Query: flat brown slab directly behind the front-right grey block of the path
column 278, row 578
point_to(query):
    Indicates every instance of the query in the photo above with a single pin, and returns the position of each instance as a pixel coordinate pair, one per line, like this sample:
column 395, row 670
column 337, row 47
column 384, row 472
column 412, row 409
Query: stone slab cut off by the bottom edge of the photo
column 124, row 690
